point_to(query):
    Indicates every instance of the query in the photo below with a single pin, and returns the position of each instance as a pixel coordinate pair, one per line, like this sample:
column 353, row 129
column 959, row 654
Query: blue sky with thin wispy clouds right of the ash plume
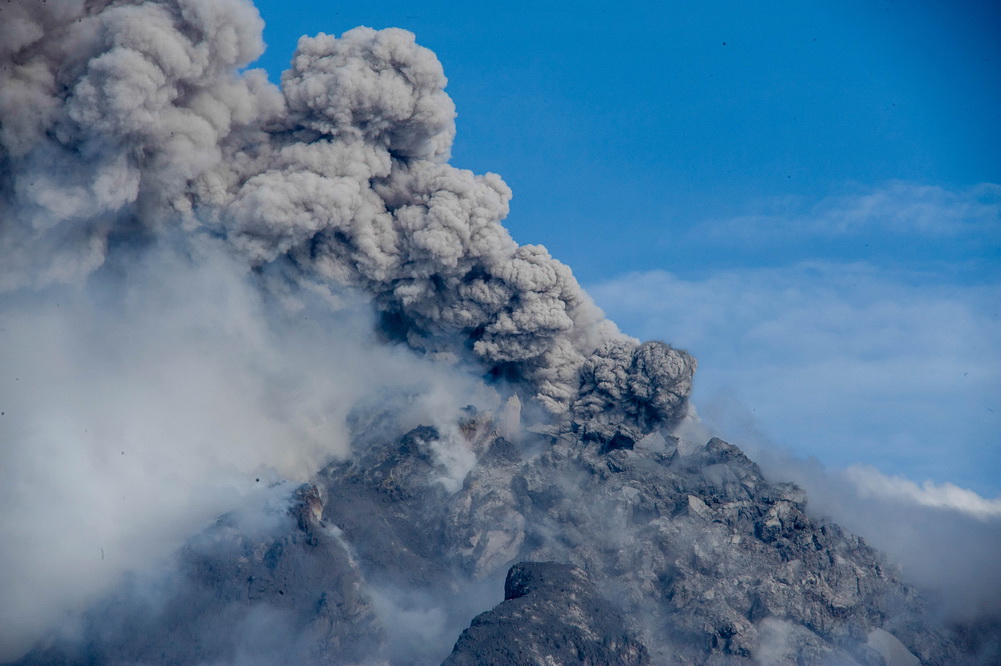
column 806, row 196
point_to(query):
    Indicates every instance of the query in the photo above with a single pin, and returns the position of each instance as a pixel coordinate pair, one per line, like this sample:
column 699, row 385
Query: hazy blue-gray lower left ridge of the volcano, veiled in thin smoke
column 278, row 589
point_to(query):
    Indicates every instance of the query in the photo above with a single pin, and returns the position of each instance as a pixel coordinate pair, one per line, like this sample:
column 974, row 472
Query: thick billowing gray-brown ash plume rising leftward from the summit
column 125, row 123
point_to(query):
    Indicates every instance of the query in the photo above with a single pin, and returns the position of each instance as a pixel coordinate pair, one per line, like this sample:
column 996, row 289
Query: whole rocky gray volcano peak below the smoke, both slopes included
column 633, row 550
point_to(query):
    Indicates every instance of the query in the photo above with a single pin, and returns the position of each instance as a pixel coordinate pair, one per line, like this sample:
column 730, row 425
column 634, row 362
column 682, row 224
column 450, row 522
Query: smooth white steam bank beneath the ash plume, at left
column 135, row 415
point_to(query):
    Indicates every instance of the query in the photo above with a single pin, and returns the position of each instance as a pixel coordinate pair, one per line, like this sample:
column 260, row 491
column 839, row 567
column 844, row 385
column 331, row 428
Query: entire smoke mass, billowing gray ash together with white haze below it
column 174, row 233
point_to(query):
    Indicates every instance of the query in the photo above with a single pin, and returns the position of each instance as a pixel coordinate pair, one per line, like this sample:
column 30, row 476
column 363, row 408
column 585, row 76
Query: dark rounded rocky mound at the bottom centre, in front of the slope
column 552, row 615
